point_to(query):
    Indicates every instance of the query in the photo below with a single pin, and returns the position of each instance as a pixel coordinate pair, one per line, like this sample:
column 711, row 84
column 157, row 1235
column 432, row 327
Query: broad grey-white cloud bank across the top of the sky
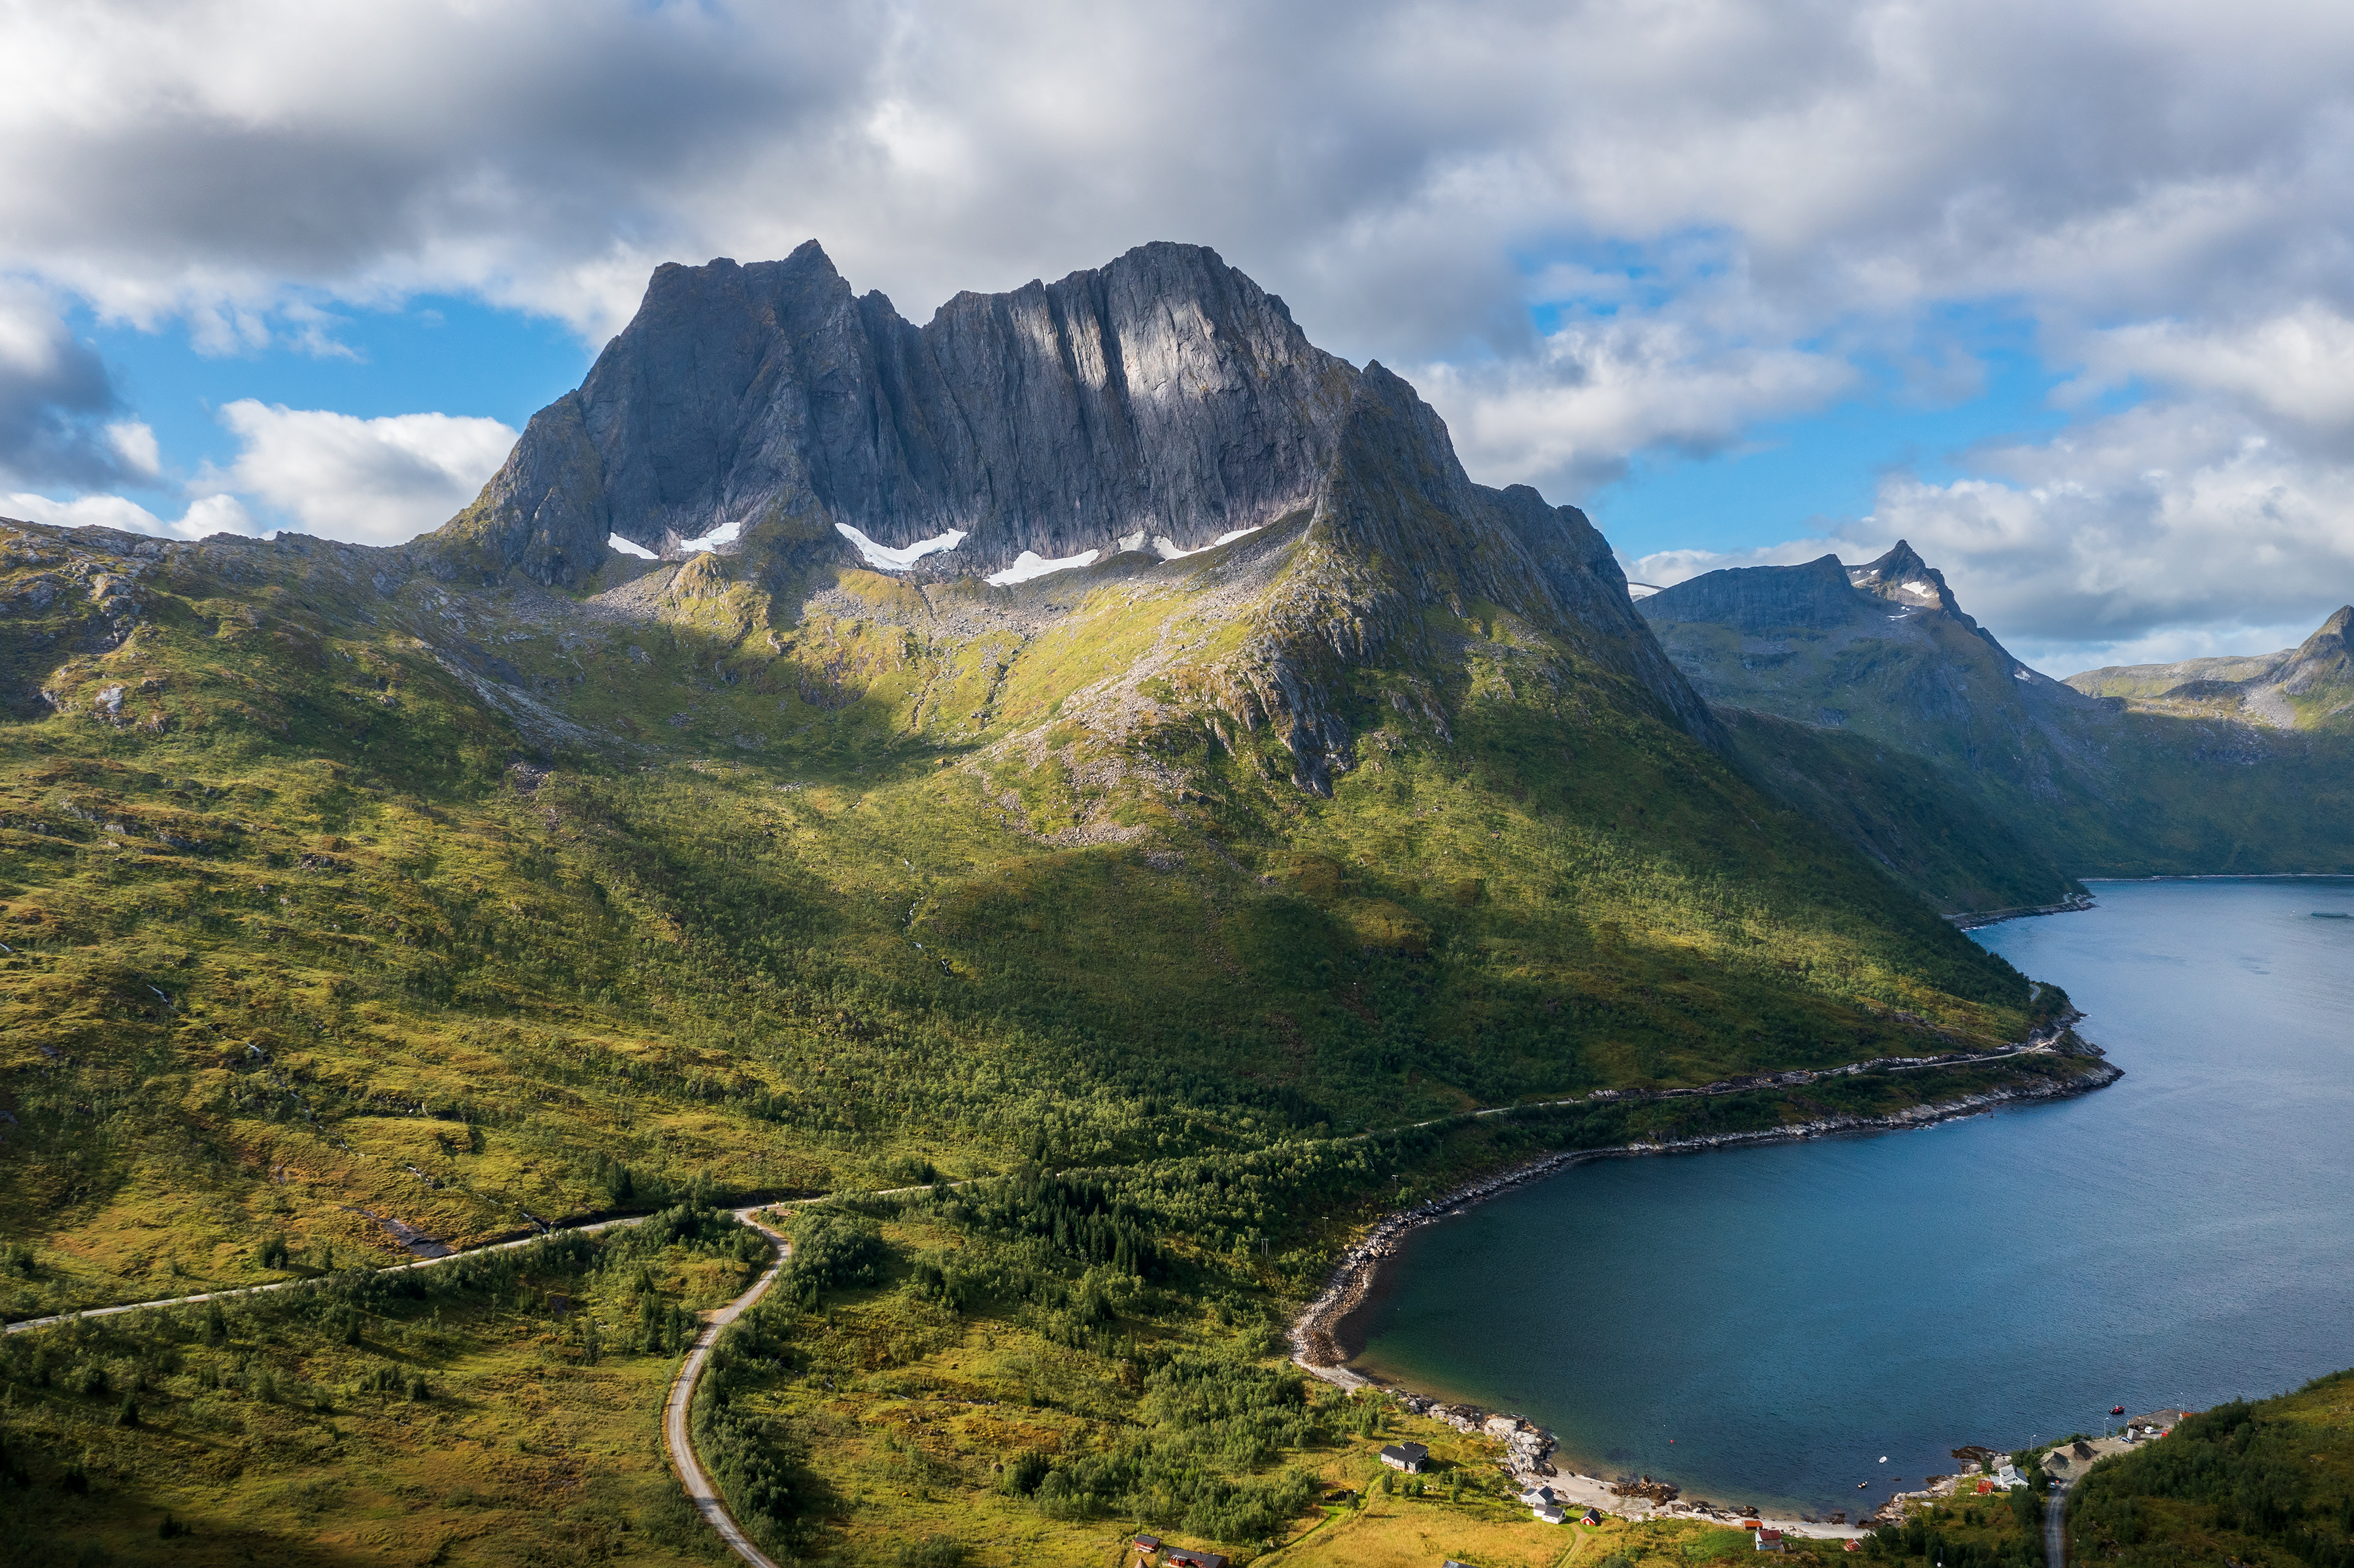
column 1388, row 166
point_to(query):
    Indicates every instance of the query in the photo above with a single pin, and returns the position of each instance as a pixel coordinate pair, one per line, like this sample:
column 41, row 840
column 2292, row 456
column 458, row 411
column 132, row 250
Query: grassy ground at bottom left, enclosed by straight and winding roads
column 498, row 1409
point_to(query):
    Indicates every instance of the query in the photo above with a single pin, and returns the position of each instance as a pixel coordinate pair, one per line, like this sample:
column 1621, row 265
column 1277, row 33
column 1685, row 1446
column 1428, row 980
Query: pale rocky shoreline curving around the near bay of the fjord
column 1322, row 1350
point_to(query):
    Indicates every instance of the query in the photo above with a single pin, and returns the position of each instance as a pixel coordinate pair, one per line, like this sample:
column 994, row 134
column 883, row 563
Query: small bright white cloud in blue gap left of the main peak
column 371, row 481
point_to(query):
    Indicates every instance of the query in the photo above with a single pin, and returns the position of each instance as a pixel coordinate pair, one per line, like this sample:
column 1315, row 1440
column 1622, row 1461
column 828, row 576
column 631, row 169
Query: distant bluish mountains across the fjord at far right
column 1875, row 703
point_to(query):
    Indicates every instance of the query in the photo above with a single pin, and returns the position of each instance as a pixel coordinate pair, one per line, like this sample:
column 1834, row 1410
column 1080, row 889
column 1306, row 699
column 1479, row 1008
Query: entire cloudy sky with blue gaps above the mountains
column 2061, row 293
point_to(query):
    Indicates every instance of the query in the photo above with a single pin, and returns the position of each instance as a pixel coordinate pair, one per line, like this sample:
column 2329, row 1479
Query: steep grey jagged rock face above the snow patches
column 1164, row 397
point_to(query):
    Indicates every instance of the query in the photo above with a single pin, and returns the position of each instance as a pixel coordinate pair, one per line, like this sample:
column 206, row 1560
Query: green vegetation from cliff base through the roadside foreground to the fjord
column 343, row 912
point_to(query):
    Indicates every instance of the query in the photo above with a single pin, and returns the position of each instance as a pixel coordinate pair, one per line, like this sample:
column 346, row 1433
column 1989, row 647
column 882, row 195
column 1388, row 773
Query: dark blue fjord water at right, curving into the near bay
column 1764, row 1324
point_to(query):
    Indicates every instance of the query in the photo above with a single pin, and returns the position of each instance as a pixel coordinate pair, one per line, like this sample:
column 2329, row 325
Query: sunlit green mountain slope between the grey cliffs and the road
column 886, row 882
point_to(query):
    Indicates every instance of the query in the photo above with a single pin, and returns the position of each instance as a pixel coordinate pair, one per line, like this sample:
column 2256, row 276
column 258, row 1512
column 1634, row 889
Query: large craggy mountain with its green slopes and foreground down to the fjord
column 1188, row 901
